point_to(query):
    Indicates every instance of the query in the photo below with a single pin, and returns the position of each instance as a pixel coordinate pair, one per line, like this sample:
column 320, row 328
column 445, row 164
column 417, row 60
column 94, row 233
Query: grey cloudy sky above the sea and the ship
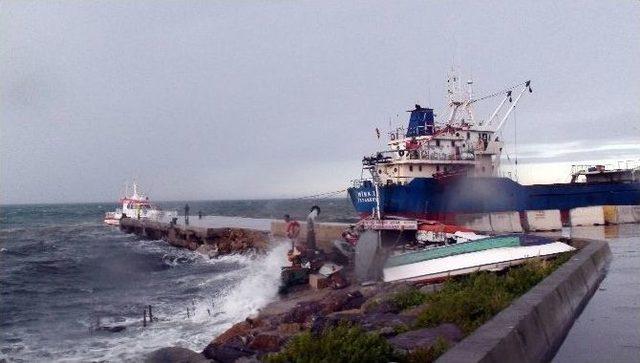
column 218, row 100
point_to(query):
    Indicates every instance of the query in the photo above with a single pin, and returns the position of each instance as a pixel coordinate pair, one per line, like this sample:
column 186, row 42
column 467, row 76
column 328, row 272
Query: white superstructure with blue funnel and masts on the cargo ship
column 461, row 145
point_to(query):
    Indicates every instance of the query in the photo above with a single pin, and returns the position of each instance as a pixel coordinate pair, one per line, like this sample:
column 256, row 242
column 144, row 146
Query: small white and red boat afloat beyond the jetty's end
column 137, row 206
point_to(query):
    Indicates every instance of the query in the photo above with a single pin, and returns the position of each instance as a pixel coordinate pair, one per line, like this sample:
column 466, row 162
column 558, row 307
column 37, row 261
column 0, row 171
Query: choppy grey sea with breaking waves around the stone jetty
column 63, row 274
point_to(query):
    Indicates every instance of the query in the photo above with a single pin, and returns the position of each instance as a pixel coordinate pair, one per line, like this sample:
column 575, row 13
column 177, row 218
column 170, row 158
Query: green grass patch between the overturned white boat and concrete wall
column 472, row 300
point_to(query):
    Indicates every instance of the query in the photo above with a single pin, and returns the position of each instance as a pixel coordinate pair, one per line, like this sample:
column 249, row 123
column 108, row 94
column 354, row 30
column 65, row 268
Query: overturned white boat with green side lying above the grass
column 492, row 253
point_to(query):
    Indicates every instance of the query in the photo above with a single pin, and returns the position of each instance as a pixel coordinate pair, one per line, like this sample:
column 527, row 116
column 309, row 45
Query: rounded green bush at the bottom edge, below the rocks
column 342, row 343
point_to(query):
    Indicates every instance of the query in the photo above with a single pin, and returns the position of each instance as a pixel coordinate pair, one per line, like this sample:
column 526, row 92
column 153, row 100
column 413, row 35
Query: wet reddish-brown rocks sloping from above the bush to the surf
column 367, row 307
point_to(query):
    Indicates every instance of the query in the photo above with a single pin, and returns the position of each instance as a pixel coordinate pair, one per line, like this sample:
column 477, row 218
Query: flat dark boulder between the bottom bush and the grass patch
column 425, row 338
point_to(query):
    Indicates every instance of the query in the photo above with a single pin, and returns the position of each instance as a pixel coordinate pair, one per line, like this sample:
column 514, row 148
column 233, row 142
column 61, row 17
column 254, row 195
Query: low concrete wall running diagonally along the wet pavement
column 535, row 325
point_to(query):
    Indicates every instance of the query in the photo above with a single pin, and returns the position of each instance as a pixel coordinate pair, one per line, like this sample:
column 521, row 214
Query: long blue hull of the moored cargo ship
column 434, row 199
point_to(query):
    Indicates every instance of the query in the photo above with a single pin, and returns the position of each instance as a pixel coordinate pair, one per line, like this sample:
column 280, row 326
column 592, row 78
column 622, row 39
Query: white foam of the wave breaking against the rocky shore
column 254, row 285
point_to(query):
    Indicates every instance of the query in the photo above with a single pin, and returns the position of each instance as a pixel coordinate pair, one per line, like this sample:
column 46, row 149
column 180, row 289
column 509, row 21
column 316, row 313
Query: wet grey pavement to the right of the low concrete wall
column 608, row 330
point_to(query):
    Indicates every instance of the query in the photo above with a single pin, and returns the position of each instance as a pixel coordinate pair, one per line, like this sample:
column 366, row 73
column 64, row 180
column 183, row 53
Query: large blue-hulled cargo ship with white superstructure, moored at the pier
column 444, row 170
